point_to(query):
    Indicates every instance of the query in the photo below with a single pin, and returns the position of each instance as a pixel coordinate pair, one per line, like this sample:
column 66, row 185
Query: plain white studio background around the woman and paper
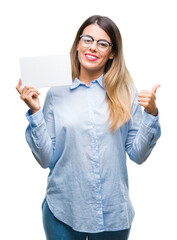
column 41, row 27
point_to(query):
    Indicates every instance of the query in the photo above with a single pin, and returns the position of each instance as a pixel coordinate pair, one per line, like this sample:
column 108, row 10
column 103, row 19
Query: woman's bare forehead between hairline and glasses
column 96, row 32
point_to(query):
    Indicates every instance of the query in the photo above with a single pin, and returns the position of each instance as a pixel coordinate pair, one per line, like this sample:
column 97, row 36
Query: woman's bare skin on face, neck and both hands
column 91, row 69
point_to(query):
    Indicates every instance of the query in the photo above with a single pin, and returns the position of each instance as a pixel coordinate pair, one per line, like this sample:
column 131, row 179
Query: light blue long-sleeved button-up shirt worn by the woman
column 88, row 183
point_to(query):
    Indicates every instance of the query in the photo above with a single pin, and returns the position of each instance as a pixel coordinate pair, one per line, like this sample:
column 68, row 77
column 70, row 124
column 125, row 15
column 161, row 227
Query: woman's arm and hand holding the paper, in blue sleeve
column 40, row 132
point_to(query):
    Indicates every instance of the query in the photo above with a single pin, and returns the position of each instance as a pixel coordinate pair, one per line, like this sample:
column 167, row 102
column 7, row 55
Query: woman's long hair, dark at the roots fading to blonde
column 117, row 81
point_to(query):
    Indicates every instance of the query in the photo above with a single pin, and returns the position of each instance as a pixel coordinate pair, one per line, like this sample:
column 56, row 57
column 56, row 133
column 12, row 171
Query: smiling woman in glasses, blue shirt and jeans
column 83, row 133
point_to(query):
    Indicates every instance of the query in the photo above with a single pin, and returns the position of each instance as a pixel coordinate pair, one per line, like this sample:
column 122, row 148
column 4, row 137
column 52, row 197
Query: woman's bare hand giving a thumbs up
column 147, row 100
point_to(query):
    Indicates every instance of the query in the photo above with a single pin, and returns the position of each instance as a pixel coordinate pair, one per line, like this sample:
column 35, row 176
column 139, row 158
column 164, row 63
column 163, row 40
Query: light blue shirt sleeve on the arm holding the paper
column 40, row 133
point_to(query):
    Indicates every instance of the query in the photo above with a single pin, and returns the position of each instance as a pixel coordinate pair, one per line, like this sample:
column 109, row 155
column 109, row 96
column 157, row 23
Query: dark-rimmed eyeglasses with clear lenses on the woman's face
column 87, row 41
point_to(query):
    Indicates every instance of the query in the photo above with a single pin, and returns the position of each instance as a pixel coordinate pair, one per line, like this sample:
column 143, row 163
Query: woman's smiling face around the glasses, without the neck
column 90, row 58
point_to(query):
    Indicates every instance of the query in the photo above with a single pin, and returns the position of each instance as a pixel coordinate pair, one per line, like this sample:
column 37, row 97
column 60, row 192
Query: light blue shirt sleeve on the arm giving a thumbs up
column 143, row 132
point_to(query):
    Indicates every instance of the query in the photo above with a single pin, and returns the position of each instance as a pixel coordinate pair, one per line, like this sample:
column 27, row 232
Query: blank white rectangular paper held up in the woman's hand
column 46, row 71
